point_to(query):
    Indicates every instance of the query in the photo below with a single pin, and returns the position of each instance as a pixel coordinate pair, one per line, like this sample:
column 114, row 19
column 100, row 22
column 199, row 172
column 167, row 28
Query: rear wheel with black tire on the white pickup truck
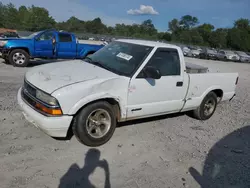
column 200, row 112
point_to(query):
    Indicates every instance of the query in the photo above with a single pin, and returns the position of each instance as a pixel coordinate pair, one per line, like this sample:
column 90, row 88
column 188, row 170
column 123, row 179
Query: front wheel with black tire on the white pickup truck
column 81, row 128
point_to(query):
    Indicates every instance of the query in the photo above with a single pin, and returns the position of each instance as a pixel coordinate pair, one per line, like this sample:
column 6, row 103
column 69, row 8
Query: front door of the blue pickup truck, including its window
column 43, row 45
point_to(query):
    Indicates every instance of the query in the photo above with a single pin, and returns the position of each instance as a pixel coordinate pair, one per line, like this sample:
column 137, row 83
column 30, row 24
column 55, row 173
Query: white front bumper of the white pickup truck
column 53, row 126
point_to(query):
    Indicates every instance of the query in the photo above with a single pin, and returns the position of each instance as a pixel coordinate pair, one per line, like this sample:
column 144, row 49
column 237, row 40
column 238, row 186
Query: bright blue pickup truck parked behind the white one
column 46, row 44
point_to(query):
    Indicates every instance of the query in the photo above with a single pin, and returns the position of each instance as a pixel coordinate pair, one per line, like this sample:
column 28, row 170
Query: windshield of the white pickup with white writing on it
column 120, row 57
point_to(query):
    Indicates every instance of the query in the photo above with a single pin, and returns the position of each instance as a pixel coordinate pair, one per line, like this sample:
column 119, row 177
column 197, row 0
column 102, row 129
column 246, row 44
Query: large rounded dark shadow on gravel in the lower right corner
column 227, row 163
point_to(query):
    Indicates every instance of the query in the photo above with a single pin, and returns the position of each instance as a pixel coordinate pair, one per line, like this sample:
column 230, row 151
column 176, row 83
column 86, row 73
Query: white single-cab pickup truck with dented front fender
column 125, row 80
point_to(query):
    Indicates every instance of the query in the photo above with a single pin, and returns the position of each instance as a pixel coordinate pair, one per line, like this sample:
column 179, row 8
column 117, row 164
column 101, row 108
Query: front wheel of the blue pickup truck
column 19, row 58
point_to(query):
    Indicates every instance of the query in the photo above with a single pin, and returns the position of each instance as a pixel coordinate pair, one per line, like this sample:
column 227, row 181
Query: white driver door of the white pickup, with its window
column 148, row 97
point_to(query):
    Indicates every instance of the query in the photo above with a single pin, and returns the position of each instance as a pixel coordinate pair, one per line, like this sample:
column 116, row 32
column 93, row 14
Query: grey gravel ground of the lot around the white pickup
column 169, row 151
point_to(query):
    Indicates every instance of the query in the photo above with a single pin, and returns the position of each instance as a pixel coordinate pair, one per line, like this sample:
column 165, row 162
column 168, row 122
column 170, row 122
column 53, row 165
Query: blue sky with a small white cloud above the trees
column 220, row 13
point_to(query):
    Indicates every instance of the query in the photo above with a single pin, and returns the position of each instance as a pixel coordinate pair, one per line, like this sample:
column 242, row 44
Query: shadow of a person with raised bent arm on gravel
column 77, row 177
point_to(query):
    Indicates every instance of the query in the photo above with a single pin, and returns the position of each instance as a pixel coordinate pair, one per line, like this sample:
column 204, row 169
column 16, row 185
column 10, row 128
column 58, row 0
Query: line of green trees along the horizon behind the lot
column 185, row 30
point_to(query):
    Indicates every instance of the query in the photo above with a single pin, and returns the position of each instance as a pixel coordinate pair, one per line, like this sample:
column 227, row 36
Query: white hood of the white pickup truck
column 50, row 77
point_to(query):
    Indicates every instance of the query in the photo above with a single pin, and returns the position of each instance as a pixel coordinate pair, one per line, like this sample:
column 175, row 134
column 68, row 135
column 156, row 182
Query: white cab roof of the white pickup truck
column 148, row 43
